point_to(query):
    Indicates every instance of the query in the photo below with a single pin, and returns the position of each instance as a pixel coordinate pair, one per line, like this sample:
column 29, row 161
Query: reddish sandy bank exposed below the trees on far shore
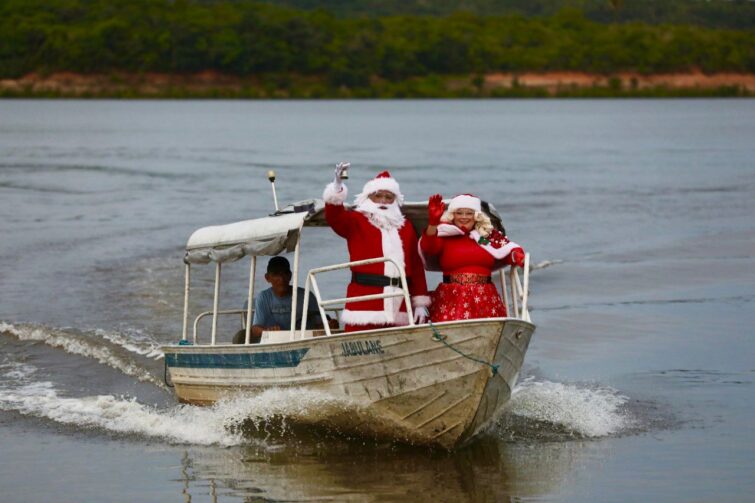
column 213, row 84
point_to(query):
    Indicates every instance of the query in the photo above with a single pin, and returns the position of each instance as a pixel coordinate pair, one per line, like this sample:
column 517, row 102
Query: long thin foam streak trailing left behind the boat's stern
column 78, row 345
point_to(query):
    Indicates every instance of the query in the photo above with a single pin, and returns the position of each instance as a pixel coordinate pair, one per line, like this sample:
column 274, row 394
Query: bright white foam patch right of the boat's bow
column 590, row 412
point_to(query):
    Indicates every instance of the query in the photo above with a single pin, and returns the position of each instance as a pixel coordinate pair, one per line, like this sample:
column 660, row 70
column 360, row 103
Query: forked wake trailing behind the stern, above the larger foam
column 118, row 354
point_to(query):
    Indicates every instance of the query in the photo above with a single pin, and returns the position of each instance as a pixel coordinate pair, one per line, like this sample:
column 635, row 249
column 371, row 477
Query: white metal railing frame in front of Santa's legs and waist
column 321, row 304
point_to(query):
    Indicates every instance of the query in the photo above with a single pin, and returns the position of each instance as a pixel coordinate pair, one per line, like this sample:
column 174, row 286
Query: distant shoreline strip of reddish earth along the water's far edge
column 211, row 84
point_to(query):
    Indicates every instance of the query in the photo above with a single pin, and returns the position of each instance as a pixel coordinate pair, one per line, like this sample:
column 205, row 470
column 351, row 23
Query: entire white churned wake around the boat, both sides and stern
column 538, row 410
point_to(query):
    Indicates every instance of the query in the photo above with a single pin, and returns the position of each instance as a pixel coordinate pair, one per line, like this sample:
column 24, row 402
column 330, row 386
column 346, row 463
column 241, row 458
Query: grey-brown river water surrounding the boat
column 640, row 216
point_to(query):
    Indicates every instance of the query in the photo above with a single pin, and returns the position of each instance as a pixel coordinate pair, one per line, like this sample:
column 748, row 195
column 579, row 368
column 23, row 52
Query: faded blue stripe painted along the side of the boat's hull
column 271, row 360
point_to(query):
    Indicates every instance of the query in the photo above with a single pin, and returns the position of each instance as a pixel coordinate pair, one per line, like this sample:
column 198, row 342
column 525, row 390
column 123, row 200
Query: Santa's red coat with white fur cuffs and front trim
column 366, row 241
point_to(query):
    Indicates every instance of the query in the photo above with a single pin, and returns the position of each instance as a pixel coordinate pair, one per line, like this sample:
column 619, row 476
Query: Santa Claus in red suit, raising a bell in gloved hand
column 377, row 228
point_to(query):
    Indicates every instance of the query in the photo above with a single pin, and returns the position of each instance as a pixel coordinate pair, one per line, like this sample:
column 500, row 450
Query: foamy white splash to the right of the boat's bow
column 544, row 410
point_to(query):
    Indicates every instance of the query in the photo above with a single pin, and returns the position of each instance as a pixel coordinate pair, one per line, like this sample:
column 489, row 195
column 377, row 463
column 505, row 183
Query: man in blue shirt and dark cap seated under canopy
column 272, row 307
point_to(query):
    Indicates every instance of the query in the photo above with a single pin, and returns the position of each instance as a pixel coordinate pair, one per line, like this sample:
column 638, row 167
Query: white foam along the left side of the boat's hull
column 182, row 424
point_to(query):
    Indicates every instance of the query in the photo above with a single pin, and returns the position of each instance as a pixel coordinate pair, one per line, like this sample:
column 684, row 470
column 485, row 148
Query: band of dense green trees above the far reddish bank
column 246, row 38
